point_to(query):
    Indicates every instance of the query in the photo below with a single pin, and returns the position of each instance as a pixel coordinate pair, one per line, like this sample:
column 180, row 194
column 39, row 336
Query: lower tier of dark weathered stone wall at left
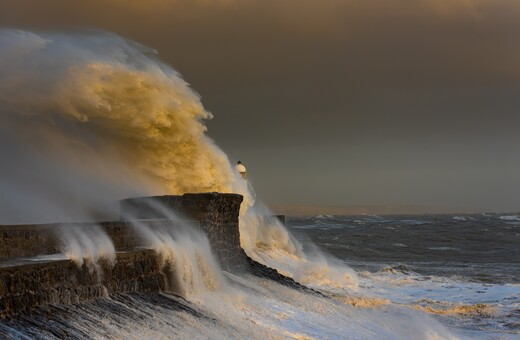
column 25, row 287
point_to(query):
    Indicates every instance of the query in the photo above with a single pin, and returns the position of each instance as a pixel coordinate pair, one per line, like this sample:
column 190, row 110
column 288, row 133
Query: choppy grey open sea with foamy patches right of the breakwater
column 464, row 270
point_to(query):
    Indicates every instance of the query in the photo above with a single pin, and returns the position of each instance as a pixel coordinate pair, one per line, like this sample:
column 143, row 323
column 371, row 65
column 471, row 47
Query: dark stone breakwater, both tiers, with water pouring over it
column 34, row 274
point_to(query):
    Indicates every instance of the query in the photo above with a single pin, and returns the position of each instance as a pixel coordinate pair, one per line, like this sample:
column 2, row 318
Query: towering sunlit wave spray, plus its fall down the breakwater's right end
column 114, row 121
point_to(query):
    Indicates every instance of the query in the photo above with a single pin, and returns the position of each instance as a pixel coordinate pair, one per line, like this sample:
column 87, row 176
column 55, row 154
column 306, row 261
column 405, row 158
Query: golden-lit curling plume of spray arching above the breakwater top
column 131, row 118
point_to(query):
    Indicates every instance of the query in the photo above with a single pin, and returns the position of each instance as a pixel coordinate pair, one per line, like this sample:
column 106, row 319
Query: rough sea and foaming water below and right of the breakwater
column 400, row 277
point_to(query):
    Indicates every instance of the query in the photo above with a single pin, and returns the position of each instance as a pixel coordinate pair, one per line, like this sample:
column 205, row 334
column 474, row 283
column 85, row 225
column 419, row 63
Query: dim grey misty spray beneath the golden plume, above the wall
column 40, row 188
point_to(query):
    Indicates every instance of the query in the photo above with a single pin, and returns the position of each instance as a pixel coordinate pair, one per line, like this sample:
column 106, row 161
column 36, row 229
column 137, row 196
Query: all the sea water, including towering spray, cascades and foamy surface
column 74, row 118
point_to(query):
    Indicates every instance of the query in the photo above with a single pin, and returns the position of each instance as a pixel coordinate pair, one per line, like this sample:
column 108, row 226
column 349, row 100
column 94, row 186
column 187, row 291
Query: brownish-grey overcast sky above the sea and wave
column 330, row 102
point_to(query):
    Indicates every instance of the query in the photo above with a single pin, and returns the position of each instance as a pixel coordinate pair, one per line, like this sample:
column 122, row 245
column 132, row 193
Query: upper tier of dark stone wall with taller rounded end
column 214, row 213
